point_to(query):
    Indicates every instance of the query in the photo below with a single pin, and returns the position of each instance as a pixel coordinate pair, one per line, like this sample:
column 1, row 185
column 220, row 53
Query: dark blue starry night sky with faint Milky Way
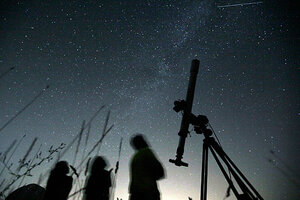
column 134, row 57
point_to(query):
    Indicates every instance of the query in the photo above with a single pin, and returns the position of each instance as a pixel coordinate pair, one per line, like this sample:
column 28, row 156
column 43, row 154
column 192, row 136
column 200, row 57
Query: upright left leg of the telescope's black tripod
column 204, row 172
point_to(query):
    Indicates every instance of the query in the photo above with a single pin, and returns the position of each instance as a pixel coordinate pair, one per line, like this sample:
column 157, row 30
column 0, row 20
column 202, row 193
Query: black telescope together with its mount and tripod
column 246, row 191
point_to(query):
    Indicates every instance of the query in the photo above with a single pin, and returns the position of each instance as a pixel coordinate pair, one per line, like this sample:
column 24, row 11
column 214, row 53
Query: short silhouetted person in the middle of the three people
column 98, row 182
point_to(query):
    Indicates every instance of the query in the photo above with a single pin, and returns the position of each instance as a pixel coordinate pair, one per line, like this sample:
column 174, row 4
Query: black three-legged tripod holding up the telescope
column 248, row 191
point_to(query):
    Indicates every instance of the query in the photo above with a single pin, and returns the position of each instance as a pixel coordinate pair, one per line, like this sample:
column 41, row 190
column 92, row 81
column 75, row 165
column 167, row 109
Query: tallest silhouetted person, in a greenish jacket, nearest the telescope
column 145, row 170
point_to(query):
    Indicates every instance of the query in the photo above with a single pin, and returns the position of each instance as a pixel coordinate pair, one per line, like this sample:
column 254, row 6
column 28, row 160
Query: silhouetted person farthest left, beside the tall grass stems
column 59, row 184
